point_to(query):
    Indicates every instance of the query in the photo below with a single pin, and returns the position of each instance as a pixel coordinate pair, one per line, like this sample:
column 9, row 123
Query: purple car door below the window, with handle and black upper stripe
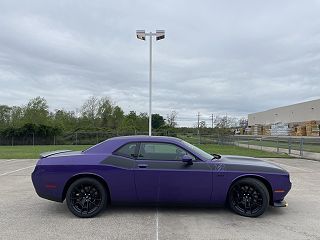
column 173, row 181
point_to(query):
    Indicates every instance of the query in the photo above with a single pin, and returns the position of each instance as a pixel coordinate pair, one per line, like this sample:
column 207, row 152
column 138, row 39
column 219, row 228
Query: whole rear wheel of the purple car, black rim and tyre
column 86, row 197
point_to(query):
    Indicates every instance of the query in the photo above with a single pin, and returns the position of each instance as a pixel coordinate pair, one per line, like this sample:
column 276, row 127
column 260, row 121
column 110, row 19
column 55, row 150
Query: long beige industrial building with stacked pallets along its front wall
column 300, row 119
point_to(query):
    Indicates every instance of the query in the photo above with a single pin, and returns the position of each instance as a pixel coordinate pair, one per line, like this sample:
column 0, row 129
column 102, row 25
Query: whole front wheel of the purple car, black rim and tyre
column 248, row 197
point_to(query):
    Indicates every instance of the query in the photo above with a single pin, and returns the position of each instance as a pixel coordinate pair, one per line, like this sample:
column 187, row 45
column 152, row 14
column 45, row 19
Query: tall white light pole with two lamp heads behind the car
column 159, row 34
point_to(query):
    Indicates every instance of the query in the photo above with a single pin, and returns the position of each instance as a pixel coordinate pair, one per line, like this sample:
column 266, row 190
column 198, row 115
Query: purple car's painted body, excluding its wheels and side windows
column 170, row 181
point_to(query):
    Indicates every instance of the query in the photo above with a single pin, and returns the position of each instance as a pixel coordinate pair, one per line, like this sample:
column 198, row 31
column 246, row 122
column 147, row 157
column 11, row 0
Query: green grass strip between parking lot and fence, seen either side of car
column 33, row 152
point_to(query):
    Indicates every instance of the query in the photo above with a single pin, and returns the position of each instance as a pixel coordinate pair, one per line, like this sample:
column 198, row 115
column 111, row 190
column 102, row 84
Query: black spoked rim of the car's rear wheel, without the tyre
column 85, row 198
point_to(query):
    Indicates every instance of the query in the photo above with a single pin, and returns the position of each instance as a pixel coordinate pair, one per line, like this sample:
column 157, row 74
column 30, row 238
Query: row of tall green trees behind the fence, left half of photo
column 96, row 114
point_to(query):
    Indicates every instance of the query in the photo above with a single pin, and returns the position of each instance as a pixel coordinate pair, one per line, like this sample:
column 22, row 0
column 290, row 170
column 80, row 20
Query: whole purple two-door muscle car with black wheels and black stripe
column 158, row 170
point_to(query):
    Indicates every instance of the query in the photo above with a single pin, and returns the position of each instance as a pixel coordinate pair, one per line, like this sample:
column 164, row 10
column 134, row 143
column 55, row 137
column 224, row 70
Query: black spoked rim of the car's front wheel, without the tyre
column 247, row 198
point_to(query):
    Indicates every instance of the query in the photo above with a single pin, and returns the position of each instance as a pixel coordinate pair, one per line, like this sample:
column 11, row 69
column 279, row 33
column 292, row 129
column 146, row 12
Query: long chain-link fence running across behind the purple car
column 280, row 144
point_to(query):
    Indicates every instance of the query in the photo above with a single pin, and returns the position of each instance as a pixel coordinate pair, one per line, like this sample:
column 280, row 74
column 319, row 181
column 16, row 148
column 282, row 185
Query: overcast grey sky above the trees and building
column 218, row 57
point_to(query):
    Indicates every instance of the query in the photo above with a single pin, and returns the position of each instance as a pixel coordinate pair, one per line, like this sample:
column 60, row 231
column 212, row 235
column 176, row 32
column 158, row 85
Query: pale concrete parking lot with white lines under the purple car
column 26, row 216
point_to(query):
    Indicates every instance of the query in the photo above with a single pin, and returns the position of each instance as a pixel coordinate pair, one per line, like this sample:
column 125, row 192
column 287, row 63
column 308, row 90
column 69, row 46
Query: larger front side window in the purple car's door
column 161, row 151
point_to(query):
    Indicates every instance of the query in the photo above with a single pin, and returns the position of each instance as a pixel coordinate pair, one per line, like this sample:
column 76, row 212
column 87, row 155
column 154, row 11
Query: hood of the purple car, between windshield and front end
column 240, row 163
